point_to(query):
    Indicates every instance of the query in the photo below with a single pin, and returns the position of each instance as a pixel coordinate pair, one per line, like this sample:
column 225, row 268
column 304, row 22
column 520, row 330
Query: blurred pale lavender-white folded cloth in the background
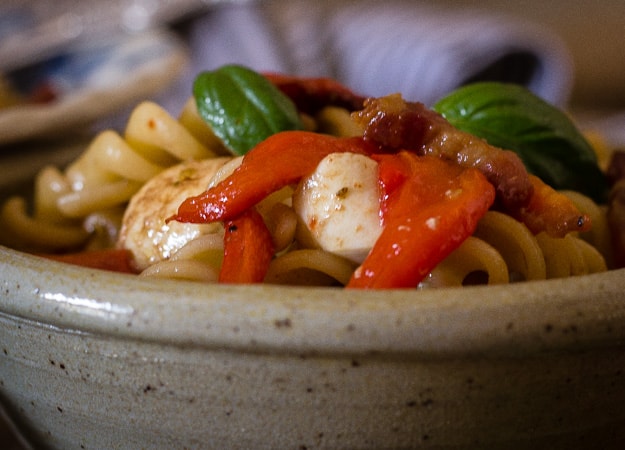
column 377, row 48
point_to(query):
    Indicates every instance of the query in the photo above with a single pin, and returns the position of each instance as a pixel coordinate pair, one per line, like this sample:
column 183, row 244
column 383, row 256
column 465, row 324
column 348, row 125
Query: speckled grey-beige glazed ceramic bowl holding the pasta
column 93, row 359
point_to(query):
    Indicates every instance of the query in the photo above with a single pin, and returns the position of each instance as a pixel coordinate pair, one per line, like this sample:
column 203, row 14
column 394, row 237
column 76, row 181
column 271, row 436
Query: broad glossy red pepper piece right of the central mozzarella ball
column 426, row 217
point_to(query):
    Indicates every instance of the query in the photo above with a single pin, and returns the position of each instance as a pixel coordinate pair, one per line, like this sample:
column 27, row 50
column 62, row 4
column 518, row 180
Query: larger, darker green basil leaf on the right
column 545, row 138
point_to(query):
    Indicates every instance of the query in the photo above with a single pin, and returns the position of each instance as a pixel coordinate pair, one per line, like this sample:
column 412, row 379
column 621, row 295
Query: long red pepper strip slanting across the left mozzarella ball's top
column 278, row 161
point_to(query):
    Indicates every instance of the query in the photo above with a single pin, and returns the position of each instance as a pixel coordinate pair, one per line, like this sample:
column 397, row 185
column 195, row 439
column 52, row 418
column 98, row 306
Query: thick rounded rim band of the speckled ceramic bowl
column 529, row 317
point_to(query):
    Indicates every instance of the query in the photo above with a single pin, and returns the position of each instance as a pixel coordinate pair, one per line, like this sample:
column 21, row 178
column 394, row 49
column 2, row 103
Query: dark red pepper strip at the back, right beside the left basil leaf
column 312, row 94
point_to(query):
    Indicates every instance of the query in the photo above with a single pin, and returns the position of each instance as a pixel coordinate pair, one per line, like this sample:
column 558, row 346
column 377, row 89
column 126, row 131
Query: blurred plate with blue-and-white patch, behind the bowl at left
column 96, row 79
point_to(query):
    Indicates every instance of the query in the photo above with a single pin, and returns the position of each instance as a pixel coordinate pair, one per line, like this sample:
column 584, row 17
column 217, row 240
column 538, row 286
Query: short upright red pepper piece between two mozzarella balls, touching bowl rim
column 248, row 249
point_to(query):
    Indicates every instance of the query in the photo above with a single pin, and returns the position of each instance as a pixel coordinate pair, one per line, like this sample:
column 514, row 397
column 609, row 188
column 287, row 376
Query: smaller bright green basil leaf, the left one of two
column 242, row 107
